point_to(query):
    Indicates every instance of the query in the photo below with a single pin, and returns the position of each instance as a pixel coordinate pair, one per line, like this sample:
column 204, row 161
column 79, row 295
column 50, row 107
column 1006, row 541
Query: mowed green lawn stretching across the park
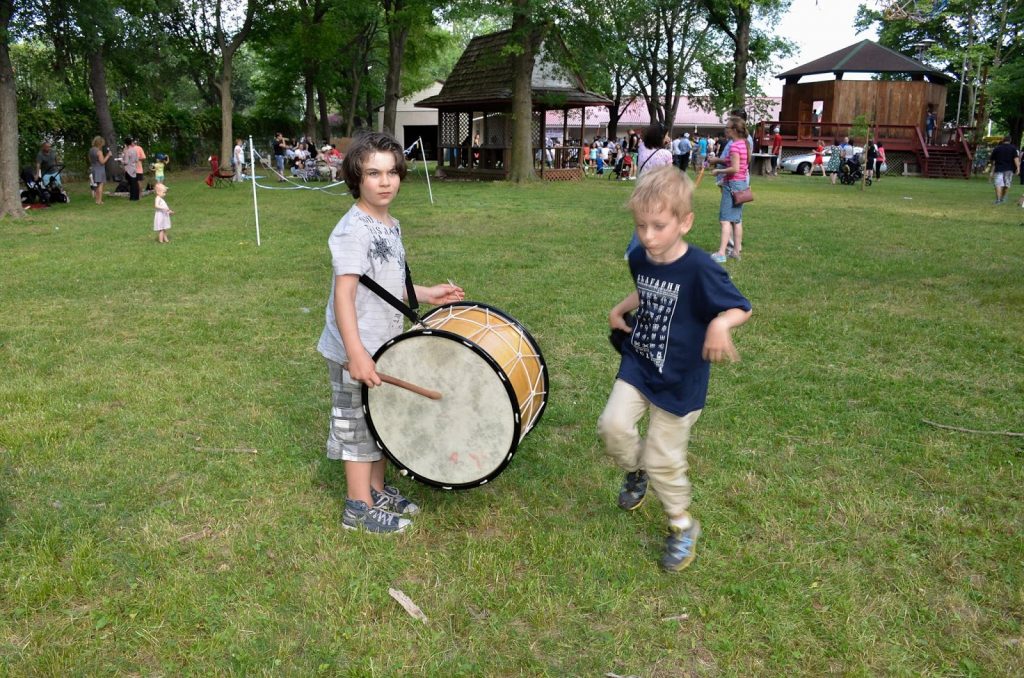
column 166, row 507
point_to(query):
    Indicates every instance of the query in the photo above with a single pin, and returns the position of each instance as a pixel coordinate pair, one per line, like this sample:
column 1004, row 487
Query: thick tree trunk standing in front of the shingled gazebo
column 528, row 35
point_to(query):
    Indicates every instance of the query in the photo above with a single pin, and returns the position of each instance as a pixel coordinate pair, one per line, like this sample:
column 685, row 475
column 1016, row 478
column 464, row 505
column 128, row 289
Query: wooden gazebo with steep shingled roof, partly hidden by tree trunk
column 477, row 104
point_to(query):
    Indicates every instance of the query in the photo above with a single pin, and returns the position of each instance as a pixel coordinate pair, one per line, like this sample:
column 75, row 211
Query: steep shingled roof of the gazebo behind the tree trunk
column 484, row 76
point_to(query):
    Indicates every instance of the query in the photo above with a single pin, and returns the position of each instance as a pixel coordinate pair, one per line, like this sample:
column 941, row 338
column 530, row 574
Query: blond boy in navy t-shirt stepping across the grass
column 687, row 310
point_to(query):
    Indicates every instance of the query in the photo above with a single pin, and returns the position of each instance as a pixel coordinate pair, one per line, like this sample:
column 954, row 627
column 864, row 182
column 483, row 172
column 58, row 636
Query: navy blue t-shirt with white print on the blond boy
column 678, row 302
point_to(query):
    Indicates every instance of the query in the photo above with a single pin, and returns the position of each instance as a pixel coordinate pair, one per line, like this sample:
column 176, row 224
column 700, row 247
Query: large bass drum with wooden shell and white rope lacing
column 494, row 387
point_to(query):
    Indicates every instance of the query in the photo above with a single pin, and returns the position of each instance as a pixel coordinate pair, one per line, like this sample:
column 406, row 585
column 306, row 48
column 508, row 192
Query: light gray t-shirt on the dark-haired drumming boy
column 362, row 245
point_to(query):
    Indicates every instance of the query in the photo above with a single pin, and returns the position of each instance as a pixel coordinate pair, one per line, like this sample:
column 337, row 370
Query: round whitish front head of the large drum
column 462, row 441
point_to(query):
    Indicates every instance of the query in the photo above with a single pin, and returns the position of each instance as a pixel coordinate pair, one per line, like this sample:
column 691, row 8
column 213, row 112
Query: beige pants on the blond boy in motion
column 662, row 454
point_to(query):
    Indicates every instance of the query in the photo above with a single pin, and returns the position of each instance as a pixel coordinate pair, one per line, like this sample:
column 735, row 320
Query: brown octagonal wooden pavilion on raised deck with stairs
column 897, row 108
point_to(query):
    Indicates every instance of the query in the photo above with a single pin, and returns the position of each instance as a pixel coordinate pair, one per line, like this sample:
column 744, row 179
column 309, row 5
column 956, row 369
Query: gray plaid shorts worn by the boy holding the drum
column 349, row 438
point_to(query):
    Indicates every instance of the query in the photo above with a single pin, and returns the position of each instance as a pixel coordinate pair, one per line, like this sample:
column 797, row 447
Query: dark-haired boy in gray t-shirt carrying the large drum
column 367, row 241
